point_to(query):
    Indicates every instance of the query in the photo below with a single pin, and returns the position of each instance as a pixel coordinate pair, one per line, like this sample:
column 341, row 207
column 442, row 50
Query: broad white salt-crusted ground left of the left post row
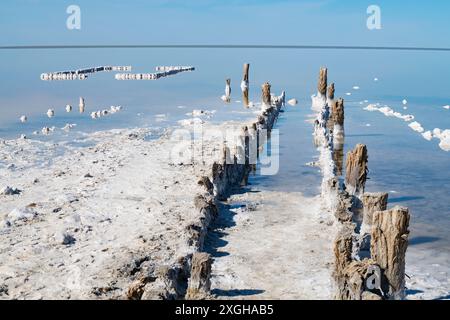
column 86, row 222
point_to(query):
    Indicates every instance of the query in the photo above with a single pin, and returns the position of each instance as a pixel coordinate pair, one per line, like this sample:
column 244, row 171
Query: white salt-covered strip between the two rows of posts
column 272, row 245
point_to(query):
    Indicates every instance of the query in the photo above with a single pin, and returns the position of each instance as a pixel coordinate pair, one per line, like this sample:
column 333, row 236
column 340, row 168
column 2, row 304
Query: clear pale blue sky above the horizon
column 322, row 22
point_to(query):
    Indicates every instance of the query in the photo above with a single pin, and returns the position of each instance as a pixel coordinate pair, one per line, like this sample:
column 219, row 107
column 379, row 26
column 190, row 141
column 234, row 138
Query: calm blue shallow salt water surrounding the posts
column 416, row 172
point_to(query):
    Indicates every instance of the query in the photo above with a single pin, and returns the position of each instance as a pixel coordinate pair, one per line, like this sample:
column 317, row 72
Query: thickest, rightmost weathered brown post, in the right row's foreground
column 388, row 248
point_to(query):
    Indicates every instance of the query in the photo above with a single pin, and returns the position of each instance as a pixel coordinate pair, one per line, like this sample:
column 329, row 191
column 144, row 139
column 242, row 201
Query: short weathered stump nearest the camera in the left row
column 199, row 286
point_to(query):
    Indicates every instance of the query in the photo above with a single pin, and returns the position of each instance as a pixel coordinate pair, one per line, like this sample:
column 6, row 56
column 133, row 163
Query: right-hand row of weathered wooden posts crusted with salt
column 371, row 245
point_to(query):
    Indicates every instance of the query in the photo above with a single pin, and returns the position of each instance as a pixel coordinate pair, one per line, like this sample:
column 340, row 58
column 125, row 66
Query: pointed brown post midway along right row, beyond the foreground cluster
column 356, row 170
